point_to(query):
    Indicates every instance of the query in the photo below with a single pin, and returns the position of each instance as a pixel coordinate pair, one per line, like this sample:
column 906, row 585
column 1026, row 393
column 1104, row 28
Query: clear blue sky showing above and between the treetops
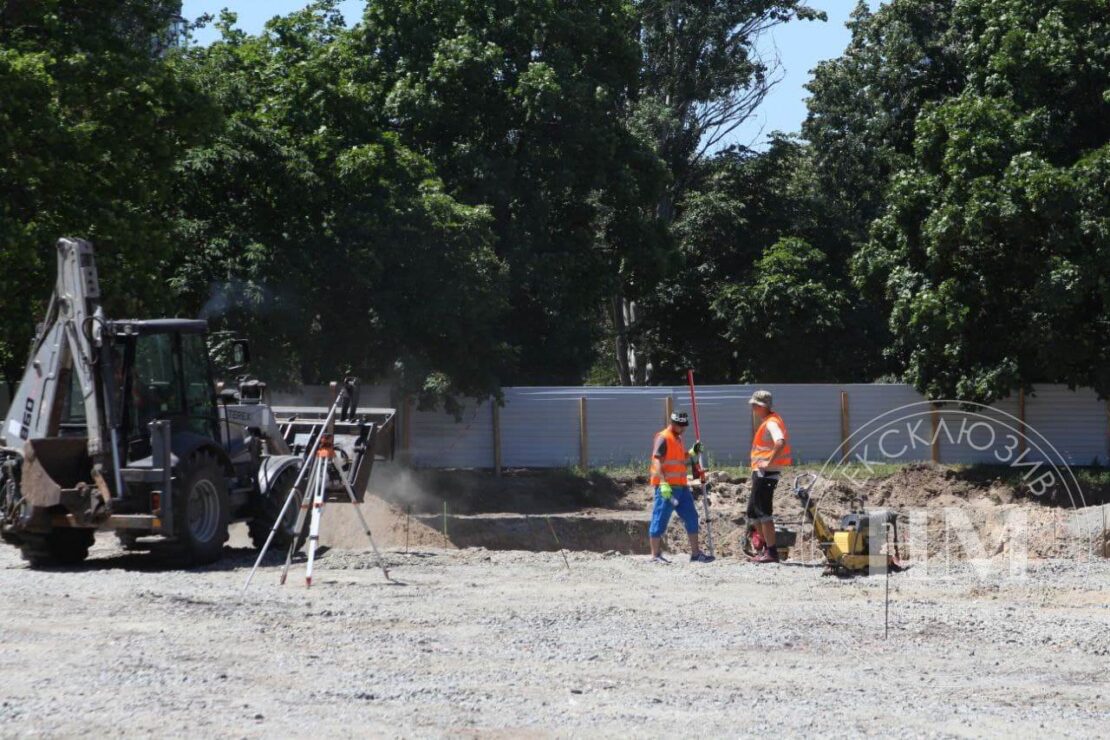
column 800, row 46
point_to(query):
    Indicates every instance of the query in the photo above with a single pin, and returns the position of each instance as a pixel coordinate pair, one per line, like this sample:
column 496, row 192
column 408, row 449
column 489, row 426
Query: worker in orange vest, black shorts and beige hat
column 771, row 454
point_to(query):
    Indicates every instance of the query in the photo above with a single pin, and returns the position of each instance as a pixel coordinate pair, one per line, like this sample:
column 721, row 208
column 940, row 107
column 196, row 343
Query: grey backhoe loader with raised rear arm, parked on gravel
column 118, row 425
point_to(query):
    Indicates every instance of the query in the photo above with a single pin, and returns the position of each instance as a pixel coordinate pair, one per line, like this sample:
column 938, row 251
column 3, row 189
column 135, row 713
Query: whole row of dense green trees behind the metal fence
column 455, row 196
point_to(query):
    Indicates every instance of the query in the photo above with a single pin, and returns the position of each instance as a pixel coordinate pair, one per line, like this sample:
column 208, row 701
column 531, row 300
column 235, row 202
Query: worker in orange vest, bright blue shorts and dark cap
column 670, row 462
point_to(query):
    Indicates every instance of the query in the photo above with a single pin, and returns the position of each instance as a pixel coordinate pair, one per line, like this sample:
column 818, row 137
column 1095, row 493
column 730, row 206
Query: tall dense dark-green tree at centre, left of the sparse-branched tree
column 519, row 110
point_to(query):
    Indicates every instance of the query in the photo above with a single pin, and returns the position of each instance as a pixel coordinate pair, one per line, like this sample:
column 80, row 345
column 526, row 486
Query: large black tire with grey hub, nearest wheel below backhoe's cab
column 201, row 511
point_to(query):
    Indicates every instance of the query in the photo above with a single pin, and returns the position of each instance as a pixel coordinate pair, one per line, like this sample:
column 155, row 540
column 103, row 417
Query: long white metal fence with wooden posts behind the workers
column 607, row 427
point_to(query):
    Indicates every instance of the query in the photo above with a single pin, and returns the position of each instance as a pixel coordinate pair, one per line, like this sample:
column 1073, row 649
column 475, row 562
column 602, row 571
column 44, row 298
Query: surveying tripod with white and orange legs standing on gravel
column 321, row 471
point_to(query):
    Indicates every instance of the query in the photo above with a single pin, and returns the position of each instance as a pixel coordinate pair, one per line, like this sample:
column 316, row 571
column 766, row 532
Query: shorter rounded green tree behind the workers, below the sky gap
column 754, row 228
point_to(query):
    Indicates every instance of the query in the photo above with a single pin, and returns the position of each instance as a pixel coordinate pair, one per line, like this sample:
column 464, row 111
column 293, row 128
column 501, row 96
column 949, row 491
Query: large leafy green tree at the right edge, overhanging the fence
column 994, row 248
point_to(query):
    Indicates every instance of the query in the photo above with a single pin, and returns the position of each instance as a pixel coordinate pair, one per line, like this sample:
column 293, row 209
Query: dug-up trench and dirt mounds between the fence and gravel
column 546, row 512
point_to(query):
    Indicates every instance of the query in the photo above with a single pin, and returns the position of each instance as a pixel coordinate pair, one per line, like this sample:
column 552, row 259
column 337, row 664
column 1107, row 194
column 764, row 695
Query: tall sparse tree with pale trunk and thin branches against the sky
column 701, row 78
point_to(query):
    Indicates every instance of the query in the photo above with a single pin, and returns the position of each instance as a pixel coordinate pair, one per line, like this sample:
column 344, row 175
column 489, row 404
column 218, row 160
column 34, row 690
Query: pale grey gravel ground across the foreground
column 478, row 643
